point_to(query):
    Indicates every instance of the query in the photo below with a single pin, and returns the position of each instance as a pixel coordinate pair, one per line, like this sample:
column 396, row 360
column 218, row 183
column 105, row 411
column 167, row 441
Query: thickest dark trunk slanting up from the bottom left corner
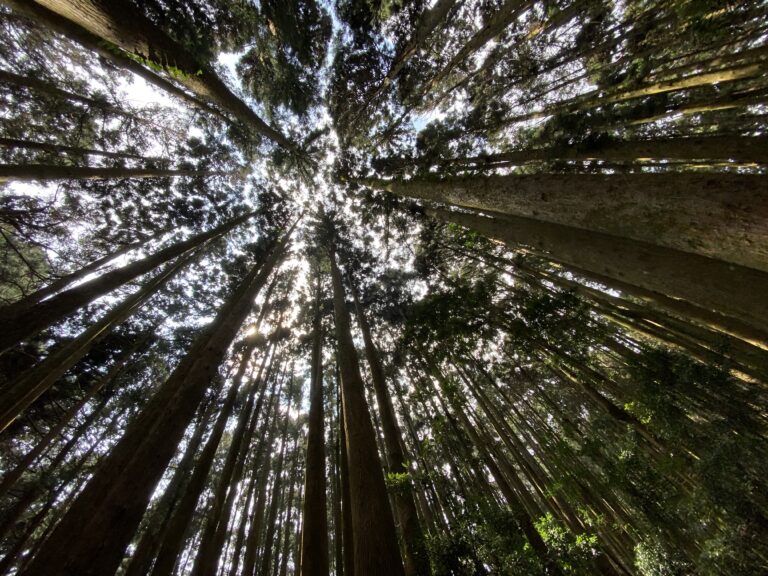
column 115, row 499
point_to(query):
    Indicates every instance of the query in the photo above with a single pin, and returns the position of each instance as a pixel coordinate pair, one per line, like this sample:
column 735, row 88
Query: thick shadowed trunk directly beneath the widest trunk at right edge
column 733, row 293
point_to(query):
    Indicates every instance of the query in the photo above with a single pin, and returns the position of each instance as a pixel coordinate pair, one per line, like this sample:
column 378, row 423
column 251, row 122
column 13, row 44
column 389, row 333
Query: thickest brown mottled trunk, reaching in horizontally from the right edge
column 720, row 216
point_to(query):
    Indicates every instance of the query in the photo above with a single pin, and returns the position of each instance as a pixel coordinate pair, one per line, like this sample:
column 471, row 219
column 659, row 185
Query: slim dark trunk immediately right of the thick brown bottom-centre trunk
column 416, row 559
